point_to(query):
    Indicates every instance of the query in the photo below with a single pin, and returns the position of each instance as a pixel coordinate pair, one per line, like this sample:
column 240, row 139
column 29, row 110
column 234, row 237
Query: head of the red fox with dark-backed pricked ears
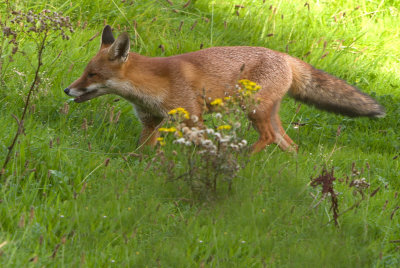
column 108, row 64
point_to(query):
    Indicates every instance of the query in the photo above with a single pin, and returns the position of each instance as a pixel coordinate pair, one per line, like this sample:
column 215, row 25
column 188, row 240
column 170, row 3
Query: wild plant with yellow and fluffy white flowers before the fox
column 211, row 152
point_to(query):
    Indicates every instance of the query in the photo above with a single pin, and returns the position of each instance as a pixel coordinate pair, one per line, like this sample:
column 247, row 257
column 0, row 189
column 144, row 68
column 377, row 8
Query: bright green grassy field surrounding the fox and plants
column 73, row 195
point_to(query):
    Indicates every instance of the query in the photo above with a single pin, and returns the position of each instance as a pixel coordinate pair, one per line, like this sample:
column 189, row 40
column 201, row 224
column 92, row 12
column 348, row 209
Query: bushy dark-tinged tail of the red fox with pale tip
column 327, row 92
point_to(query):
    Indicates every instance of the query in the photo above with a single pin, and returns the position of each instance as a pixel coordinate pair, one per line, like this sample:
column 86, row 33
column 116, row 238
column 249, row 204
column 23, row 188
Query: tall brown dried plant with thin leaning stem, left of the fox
column 40, row 28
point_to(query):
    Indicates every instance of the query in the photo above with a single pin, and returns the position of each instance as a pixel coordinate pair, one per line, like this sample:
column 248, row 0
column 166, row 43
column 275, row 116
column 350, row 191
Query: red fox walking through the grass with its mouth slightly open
column 157, row 85
